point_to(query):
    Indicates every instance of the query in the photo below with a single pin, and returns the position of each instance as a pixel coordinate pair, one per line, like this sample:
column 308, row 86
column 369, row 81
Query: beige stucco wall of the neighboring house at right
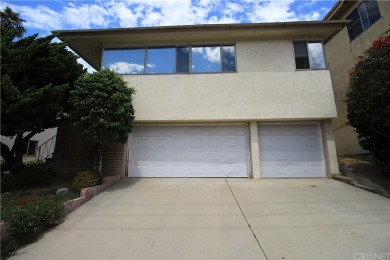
column 341, row 56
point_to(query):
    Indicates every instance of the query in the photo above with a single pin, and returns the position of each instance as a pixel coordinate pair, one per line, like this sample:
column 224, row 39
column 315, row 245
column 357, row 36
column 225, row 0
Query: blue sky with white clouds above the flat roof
column 44, row 16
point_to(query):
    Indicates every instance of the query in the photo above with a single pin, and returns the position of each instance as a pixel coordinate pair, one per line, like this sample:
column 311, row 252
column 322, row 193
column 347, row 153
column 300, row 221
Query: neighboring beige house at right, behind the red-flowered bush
column 368, row 21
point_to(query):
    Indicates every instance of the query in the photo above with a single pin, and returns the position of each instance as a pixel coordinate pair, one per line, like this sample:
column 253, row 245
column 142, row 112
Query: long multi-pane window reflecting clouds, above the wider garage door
column 168, row 60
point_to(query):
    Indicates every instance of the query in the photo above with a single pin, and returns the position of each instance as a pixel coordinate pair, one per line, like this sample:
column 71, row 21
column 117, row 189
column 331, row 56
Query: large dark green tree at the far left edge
column 37, row 75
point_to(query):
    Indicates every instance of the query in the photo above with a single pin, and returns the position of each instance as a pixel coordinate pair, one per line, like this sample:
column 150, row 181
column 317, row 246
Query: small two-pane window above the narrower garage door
column 309, row 55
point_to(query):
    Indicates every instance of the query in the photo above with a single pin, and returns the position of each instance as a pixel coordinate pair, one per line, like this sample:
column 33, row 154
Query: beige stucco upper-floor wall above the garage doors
column 266, row 87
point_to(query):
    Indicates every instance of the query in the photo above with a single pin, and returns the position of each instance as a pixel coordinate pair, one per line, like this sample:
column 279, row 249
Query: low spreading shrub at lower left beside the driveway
column 25, row 214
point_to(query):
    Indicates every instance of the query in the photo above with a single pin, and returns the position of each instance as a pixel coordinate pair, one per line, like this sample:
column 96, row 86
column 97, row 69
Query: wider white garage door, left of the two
column 188, row 151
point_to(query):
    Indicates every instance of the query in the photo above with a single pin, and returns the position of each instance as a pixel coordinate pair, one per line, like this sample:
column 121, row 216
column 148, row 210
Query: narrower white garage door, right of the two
column 291, row 150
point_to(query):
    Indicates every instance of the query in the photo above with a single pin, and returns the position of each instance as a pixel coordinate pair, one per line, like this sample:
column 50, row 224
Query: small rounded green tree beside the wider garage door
column 102, row 109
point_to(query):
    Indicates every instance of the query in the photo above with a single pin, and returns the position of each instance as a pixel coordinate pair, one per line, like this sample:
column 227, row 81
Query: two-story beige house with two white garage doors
column 232, row 100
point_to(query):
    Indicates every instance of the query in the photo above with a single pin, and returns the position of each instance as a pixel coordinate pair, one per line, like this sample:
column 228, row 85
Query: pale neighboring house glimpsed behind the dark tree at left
column 39, row 147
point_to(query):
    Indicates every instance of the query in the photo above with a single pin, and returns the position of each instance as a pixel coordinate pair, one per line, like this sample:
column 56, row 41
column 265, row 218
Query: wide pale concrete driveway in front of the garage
column 222, row 219
